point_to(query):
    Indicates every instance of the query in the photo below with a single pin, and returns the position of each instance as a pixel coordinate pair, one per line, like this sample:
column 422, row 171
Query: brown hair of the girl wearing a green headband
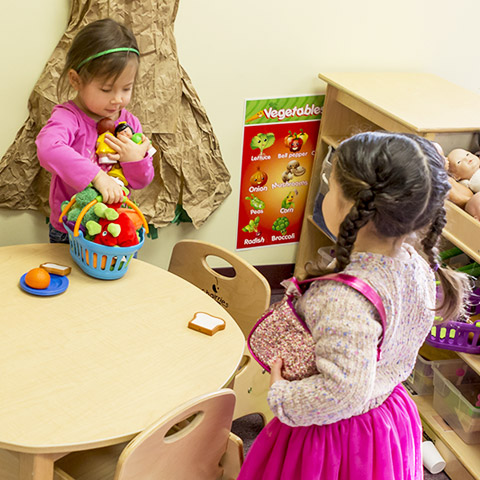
column 97, row 37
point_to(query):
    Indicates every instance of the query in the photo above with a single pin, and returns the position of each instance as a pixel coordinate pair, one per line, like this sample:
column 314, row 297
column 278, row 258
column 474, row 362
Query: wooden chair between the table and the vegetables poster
column 245, row 296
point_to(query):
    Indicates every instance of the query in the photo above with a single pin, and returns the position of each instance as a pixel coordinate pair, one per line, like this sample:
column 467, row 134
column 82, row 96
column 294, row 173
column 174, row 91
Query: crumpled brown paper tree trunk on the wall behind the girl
column 188, row 163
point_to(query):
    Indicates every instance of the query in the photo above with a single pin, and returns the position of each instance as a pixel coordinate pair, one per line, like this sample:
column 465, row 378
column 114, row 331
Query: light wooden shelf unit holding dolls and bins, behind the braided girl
column 428, row 106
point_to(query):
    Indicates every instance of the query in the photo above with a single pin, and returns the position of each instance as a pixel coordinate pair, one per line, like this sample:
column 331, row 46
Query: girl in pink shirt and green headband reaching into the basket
column 101, row 67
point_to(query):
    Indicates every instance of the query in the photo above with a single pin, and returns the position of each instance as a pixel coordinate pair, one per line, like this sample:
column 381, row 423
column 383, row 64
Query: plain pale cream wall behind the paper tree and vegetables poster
column 250, row 49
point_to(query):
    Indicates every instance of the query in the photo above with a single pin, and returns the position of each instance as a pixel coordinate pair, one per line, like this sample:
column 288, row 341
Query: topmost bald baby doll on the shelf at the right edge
column 464, row 168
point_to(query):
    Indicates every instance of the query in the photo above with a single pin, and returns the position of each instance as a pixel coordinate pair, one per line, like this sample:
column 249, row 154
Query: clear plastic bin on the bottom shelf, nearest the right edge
column 456, row 391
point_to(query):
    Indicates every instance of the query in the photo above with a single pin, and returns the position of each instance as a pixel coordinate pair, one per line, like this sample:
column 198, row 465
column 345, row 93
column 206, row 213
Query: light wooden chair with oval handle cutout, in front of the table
column 192, row 442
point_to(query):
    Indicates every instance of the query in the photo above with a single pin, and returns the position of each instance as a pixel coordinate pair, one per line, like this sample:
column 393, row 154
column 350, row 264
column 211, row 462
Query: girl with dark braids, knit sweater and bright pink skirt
column 354, row 420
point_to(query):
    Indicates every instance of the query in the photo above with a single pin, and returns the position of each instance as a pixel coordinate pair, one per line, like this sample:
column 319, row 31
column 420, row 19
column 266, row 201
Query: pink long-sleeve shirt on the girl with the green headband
column 66, row 148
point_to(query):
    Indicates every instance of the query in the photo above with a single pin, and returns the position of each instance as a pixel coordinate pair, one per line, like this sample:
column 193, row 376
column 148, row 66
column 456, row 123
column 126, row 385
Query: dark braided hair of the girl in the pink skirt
column 398, row 183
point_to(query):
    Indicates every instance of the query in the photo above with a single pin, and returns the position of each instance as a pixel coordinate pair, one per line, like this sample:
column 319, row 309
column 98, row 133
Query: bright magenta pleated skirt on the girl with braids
column 382, row 444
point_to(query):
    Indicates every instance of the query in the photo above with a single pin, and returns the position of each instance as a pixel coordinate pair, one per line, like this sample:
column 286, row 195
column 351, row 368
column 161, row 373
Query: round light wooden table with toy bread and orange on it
column 95, row 365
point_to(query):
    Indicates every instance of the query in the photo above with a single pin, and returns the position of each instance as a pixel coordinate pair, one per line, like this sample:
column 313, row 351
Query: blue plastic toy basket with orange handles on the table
column 100, row 261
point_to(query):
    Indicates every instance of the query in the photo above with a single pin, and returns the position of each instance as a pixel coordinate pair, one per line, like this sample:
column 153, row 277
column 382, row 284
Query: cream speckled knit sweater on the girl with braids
column 346, row 328
